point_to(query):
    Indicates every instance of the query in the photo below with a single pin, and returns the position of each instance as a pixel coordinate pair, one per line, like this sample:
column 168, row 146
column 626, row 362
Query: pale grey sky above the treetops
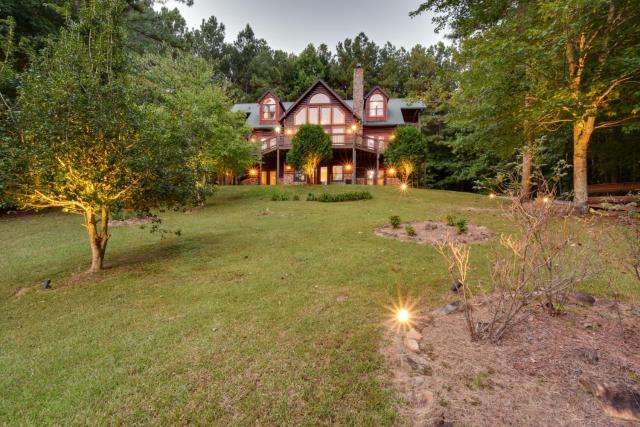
column 290, row 25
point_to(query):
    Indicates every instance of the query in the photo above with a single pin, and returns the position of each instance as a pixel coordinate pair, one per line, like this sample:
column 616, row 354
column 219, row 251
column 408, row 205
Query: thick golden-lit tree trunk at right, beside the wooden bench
column 582, row 131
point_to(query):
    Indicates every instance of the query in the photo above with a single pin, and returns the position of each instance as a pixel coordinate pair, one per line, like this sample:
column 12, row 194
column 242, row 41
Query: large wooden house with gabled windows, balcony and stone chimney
column 360, row 130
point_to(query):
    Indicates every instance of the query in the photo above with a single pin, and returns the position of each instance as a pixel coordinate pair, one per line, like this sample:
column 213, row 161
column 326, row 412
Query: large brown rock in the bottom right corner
column 618, row 400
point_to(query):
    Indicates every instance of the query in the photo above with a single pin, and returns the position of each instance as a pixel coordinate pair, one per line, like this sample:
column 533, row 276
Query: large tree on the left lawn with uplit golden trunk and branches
column 87, row 143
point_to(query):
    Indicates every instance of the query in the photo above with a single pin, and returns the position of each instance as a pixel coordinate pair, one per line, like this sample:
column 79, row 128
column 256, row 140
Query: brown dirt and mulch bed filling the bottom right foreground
column 532, row 378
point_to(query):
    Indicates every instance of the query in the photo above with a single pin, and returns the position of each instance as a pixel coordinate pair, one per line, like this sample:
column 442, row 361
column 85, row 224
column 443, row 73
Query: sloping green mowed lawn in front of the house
column 244, row 319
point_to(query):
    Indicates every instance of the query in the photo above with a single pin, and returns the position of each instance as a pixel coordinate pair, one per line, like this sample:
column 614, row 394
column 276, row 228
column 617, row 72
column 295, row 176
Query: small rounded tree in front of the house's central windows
column 310, row 146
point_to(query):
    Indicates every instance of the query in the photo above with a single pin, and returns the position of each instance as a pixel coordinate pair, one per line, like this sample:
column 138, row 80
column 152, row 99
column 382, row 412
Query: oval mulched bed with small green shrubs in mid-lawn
column 435, row 233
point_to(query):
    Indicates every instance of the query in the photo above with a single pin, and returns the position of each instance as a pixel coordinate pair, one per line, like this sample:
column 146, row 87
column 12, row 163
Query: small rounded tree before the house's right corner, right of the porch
column 407, row 151
